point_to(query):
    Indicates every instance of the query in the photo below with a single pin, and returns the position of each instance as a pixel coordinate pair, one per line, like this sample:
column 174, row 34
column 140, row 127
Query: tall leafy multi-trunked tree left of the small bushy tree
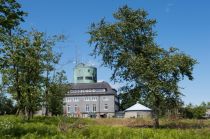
column 23, row 62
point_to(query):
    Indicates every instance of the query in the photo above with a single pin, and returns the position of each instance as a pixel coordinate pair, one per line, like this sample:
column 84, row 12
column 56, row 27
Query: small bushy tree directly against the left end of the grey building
column 58, row 88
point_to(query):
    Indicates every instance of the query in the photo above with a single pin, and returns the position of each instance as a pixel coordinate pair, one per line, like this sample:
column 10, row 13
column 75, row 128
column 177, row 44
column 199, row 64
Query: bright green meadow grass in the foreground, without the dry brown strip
column 48, row 127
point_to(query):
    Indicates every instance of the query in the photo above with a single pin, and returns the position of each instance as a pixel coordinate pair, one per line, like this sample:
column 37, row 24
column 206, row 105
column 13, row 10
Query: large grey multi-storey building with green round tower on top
column 89, row 98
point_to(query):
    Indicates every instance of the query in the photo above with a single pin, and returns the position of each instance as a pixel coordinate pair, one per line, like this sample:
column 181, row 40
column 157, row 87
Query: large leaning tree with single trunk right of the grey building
column 128, row 48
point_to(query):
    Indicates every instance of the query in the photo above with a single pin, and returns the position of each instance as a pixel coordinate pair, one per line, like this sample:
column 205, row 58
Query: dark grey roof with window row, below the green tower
column 100, row 88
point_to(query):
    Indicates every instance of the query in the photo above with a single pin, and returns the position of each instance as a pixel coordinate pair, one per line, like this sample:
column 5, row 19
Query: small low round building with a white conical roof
column 138, row 111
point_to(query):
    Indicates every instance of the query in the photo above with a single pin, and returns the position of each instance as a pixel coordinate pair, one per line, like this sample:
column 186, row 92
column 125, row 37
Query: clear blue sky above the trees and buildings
column 181, row 24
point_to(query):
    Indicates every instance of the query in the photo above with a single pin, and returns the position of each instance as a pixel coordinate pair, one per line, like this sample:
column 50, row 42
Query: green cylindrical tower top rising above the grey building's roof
column 84, row 73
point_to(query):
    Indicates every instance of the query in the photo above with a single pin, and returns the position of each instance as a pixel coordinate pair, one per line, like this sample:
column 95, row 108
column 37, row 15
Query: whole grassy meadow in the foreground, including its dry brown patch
column 75, row 128
